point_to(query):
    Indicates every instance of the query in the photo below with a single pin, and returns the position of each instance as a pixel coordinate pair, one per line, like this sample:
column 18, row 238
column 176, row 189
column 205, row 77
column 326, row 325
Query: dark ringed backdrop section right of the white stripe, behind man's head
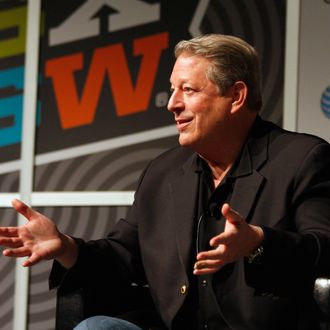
column 261, row 23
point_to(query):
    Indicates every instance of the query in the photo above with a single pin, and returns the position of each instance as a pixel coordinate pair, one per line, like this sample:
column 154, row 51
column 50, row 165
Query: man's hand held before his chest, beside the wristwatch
column 238, row 239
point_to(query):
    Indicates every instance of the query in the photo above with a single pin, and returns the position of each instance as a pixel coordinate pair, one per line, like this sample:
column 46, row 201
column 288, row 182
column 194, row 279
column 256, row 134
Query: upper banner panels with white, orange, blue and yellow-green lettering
column 104, row 70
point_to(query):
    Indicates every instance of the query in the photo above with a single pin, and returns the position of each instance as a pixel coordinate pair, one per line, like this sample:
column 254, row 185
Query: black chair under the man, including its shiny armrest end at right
column 74, row 306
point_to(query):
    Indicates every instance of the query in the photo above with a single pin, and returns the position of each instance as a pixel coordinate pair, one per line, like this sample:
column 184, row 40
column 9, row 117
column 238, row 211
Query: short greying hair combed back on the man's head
column 232, row 59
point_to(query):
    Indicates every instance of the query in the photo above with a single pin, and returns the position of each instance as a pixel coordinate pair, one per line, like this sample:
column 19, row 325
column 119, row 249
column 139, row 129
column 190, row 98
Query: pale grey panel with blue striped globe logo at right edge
column 313, row 111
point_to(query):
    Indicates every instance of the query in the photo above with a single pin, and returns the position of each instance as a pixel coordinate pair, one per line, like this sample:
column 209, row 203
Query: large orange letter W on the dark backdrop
column 110, row 60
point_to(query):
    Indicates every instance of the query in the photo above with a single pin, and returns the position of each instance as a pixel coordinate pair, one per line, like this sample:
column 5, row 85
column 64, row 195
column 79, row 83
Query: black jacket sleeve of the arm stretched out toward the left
column 114, row 259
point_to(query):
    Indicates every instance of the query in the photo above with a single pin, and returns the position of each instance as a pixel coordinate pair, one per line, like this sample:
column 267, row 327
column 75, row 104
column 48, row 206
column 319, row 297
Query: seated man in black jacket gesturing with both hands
column 229, row 230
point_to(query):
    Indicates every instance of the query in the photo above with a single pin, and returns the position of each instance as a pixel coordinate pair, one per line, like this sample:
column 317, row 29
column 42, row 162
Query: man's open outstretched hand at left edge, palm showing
column 38, row 239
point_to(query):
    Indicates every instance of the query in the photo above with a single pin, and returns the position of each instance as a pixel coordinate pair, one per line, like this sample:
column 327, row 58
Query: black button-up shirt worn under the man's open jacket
column 211, row 223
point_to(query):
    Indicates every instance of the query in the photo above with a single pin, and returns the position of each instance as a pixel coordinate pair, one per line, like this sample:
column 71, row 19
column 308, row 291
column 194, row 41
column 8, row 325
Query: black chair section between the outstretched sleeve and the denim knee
column 131, row 303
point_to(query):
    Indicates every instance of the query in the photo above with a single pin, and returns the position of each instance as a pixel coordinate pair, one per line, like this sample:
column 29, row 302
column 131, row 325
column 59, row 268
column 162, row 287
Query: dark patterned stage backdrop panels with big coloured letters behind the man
column 103, row 89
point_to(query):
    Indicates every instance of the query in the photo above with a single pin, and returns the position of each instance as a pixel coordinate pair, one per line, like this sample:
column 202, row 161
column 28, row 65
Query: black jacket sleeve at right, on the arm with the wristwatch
column 292, row 259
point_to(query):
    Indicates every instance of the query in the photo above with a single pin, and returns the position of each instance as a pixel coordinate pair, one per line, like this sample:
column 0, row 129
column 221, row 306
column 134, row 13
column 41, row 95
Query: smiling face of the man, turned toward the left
column 199, row 110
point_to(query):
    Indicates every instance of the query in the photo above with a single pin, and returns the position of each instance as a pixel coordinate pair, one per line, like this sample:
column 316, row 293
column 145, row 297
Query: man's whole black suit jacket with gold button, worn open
column 285, row 188
